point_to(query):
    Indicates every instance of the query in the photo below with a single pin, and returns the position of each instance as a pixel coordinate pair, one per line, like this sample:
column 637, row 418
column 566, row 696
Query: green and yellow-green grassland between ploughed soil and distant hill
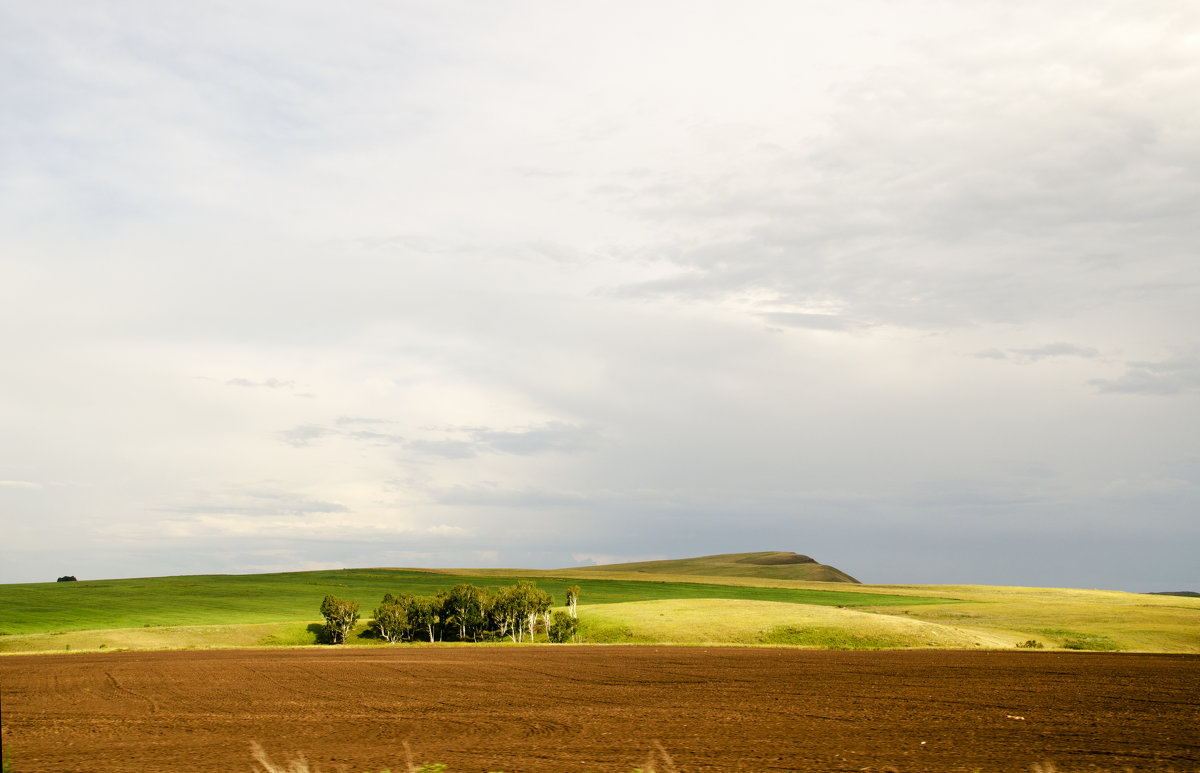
column 278, row 610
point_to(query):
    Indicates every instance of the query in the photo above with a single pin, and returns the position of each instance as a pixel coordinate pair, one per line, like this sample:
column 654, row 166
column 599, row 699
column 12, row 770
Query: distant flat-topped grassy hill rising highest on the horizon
column 772, row 565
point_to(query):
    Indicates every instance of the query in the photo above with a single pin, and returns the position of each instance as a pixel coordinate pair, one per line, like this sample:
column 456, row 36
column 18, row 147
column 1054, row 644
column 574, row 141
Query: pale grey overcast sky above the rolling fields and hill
column 910, row 287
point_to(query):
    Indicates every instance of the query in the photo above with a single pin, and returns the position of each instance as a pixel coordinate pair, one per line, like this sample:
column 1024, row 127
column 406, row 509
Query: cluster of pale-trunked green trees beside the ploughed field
column 465, row 613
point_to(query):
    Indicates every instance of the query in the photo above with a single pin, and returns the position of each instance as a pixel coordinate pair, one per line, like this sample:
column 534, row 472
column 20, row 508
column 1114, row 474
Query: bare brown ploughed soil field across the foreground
column 602, row 709
